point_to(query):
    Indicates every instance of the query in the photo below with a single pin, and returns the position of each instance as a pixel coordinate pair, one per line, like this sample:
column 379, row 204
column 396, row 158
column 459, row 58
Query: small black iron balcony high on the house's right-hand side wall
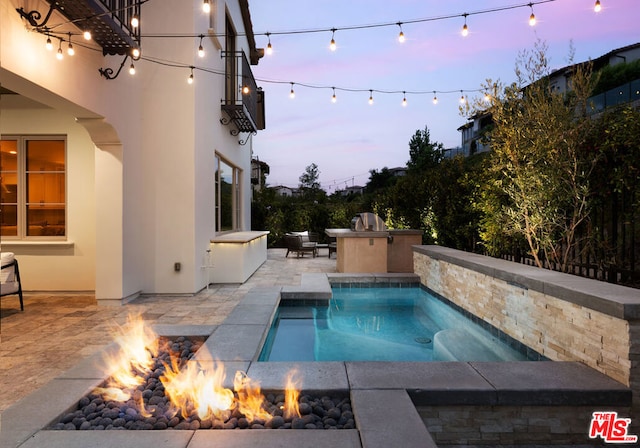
column 243, row 103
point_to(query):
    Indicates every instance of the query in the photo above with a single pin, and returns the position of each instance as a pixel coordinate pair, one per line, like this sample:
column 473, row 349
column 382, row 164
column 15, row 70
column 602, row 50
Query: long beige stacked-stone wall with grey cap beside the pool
column 561, row 316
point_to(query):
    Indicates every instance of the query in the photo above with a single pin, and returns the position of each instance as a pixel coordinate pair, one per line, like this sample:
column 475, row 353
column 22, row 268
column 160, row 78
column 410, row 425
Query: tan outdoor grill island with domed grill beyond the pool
column 368, row 246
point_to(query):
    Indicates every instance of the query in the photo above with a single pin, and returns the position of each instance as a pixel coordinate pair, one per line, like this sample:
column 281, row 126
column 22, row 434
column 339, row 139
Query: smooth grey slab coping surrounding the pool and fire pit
column 384, row 395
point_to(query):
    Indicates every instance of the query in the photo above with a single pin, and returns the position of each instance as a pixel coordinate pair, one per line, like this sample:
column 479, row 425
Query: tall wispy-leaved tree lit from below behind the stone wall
column 540, row 183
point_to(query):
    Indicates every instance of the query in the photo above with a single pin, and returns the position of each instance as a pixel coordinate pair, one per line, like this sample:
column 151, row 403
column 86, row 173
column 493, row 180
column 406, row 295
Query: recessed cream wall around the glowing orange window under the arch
column 70, row 267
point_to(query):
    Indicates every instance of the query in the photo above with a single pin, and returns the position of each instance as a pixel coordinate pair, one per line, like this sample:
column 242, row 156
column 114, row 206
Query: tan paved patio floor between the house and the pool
column 56, row 331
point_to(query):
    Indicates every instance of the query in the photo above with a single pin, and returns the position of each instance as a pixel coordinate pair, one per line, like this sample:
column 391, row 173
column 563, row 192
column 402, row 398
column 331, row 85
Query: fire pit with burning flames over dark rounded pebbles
column 160, row 383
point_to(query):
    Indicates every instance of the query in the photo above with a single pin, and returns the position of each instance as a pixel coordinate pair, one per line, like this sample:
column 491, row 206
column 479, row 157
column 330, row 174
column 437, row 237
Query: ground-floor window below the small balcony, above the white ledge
column 227, row 205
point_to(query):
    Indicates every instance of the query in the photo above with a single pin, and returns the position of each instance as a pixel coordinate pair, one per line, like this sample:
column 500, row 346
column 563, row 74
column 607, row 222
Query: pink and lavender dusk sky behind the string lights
column 350, row 137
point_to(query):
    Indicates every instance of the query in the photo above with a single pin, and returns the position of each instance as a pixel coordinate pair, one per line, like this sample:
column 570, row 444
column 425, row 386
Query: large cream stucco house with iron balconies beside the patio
column 119, row 186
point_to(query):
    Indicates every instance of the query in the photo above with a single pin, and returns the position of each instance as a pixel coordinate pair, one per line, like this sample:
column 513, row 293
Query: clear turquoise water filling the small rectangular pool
column 381, row 324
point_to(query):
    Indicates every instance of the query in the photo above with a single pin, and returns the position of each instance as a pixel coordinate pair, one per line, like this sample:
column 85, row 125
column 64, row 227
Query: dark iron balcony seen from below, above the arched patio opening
column 109, row 22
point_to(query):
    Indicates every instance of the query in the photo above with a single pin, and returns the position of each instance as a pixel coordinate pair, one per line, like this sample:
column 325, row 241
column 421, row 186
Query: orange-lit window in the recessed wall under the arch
column 33, row 187
